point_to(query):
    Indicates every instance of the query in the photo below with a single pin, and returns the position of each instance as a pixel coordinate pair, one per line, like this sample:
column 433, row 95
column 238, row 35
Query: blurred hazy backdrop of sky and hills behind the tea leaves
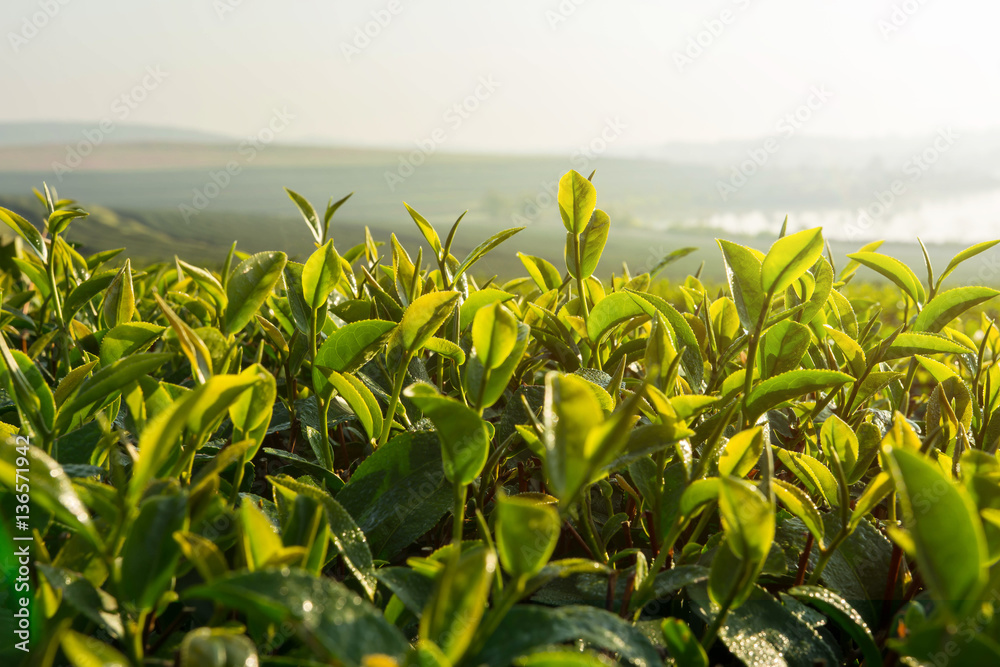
column 179, row 123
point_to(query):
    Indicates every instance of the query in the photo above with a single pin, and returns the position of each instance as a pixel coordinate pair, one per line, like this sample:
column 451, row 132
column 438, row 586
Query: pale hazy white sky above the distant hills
column 555, row 72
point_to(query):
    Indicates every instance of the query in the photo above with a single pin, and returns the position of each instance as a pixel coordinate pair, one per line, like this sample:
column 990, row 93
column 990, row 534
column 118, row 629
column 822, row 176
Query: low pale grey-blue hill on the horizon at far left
column 40, row 133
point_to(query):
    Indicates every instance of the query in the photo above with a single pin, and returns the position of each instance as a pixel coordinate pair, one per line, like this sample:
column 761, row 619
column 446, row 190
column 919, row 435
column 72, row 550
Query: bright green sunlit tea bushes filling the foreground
column 373, row 458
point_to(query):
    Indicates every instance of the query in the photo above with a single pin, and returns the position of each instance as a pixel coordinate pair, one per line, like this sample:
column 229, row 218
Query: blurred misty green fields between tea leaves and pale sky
column 135, row 192
